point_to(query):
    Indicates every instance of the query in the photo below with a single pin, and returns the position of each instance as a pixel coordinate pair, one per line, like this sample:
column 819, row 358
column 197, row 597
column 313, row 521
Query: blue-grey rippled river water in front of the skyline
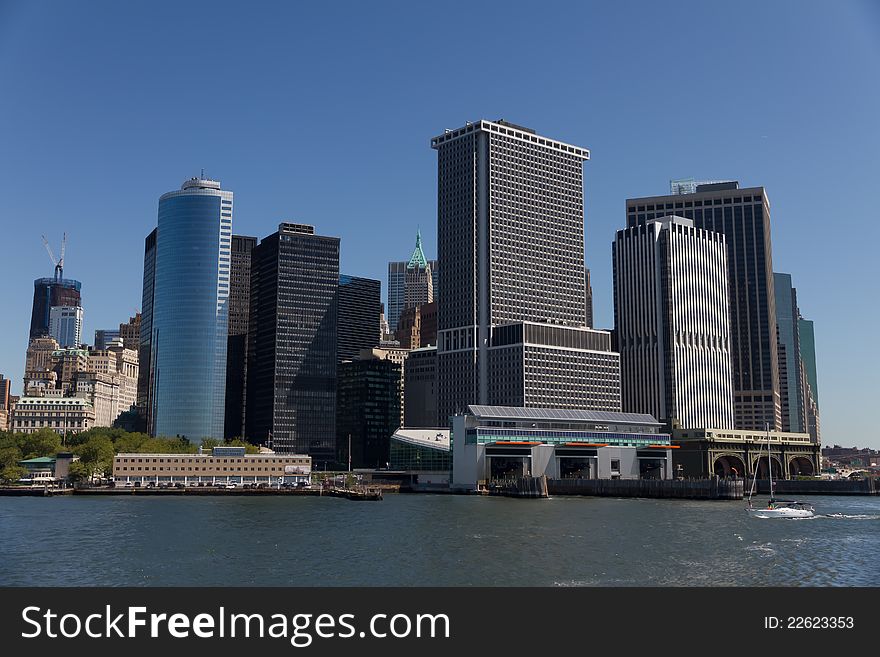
column 431, row 540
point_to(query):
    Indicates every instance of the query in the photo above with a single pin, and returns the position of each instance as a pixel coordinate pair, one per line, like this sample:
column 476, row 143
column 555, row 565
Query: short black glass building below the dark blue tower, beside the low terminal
column 368, row 409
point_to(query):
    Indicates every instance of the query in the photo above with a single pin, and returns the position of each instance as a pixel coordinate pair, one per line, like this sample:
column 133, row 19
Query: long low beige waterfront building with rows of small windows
column 227, row 465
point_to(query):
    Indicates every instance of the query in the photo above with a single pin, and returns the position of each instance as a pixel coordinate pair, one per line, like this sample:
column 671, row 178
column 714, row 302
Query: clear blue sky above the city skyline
column 322, row 113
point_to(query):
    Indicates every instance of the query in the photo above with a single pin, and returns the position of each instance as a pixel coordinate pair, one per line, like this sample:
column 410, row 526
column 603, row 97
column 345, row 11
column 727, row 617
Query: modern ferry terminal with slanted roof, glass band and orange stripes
column 492, row 443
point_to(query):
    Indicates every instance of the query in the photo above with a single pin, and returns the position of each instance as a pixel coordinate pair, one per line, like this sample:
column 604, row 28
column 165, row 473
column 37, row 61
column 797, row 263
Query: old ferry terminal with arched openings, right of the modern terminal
column 705, row 452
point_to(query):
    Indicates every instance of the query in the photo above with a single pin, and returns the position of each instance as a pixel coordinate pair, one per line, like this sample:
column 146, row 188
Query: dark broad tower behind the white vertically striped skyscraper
column 743, row 216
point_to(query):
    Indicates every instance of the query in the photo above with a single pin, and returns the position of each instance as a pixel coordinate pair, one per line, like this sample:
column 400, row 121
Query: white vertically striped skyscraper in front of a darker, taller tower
column 672, row 323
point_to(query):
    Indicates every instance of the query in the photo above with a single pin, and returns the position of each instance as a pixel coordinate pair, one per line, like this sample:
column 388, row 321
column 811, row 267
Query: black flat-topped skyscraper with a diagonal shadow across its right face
column 291, row 352
